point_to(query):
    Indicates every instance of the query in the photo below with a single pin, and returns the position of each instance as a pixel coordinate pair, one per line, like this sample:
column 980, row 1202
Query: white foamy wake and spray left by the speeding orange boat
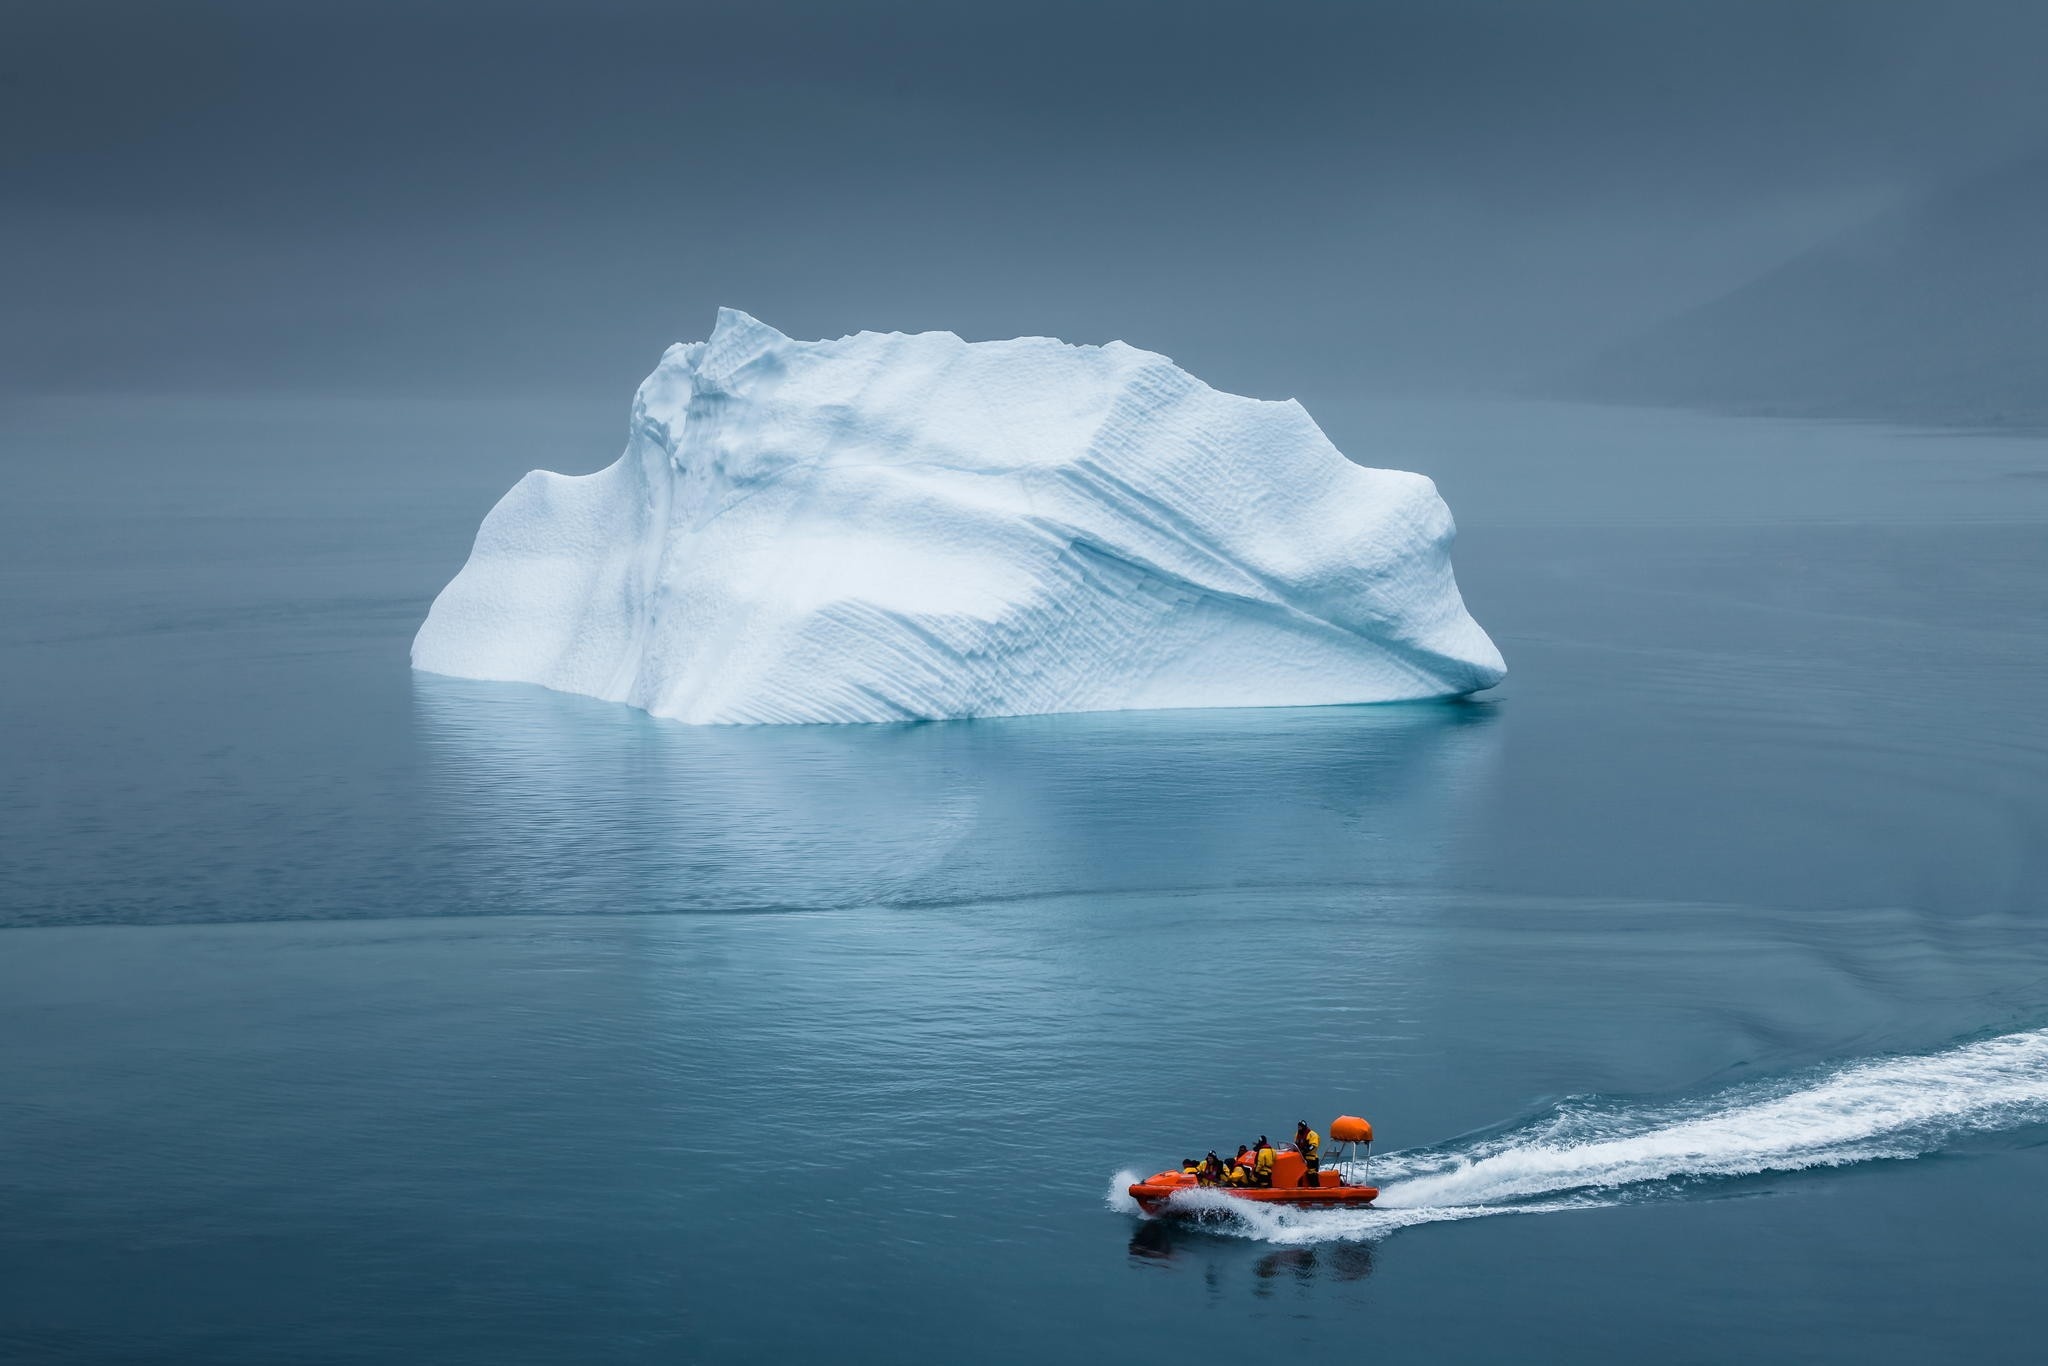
column 1590, row 1154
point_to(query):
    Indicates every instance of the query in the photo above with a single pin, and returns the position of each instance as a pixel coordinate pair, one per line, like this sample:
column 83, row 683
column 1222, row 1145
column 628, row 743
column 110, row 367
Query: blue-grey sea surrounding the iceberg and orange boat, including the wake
column 1697, row 980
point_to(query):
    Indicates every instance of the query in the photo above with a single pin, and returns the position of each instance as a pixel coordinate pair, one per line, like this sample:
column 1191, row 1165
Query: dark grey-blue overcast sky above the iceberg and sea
column 1285, row 198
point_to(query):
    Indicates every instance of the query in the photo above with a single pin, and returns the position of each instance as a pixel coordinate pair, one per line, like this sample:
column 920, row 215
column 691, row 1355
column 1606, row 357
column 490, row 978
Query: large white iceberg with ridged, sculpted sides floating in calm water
column 894, row 527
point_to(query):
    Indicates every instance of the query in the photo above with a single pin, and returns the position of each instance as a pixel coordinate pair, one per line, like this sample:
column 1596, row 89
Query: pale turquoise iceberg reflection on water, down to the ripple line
column 546, row 802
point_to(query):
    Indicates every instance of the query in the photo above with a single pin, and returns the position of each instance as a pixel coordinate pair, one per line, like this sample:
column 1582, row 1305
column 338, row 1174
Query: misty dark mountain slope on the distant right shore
column 1932, row 314
